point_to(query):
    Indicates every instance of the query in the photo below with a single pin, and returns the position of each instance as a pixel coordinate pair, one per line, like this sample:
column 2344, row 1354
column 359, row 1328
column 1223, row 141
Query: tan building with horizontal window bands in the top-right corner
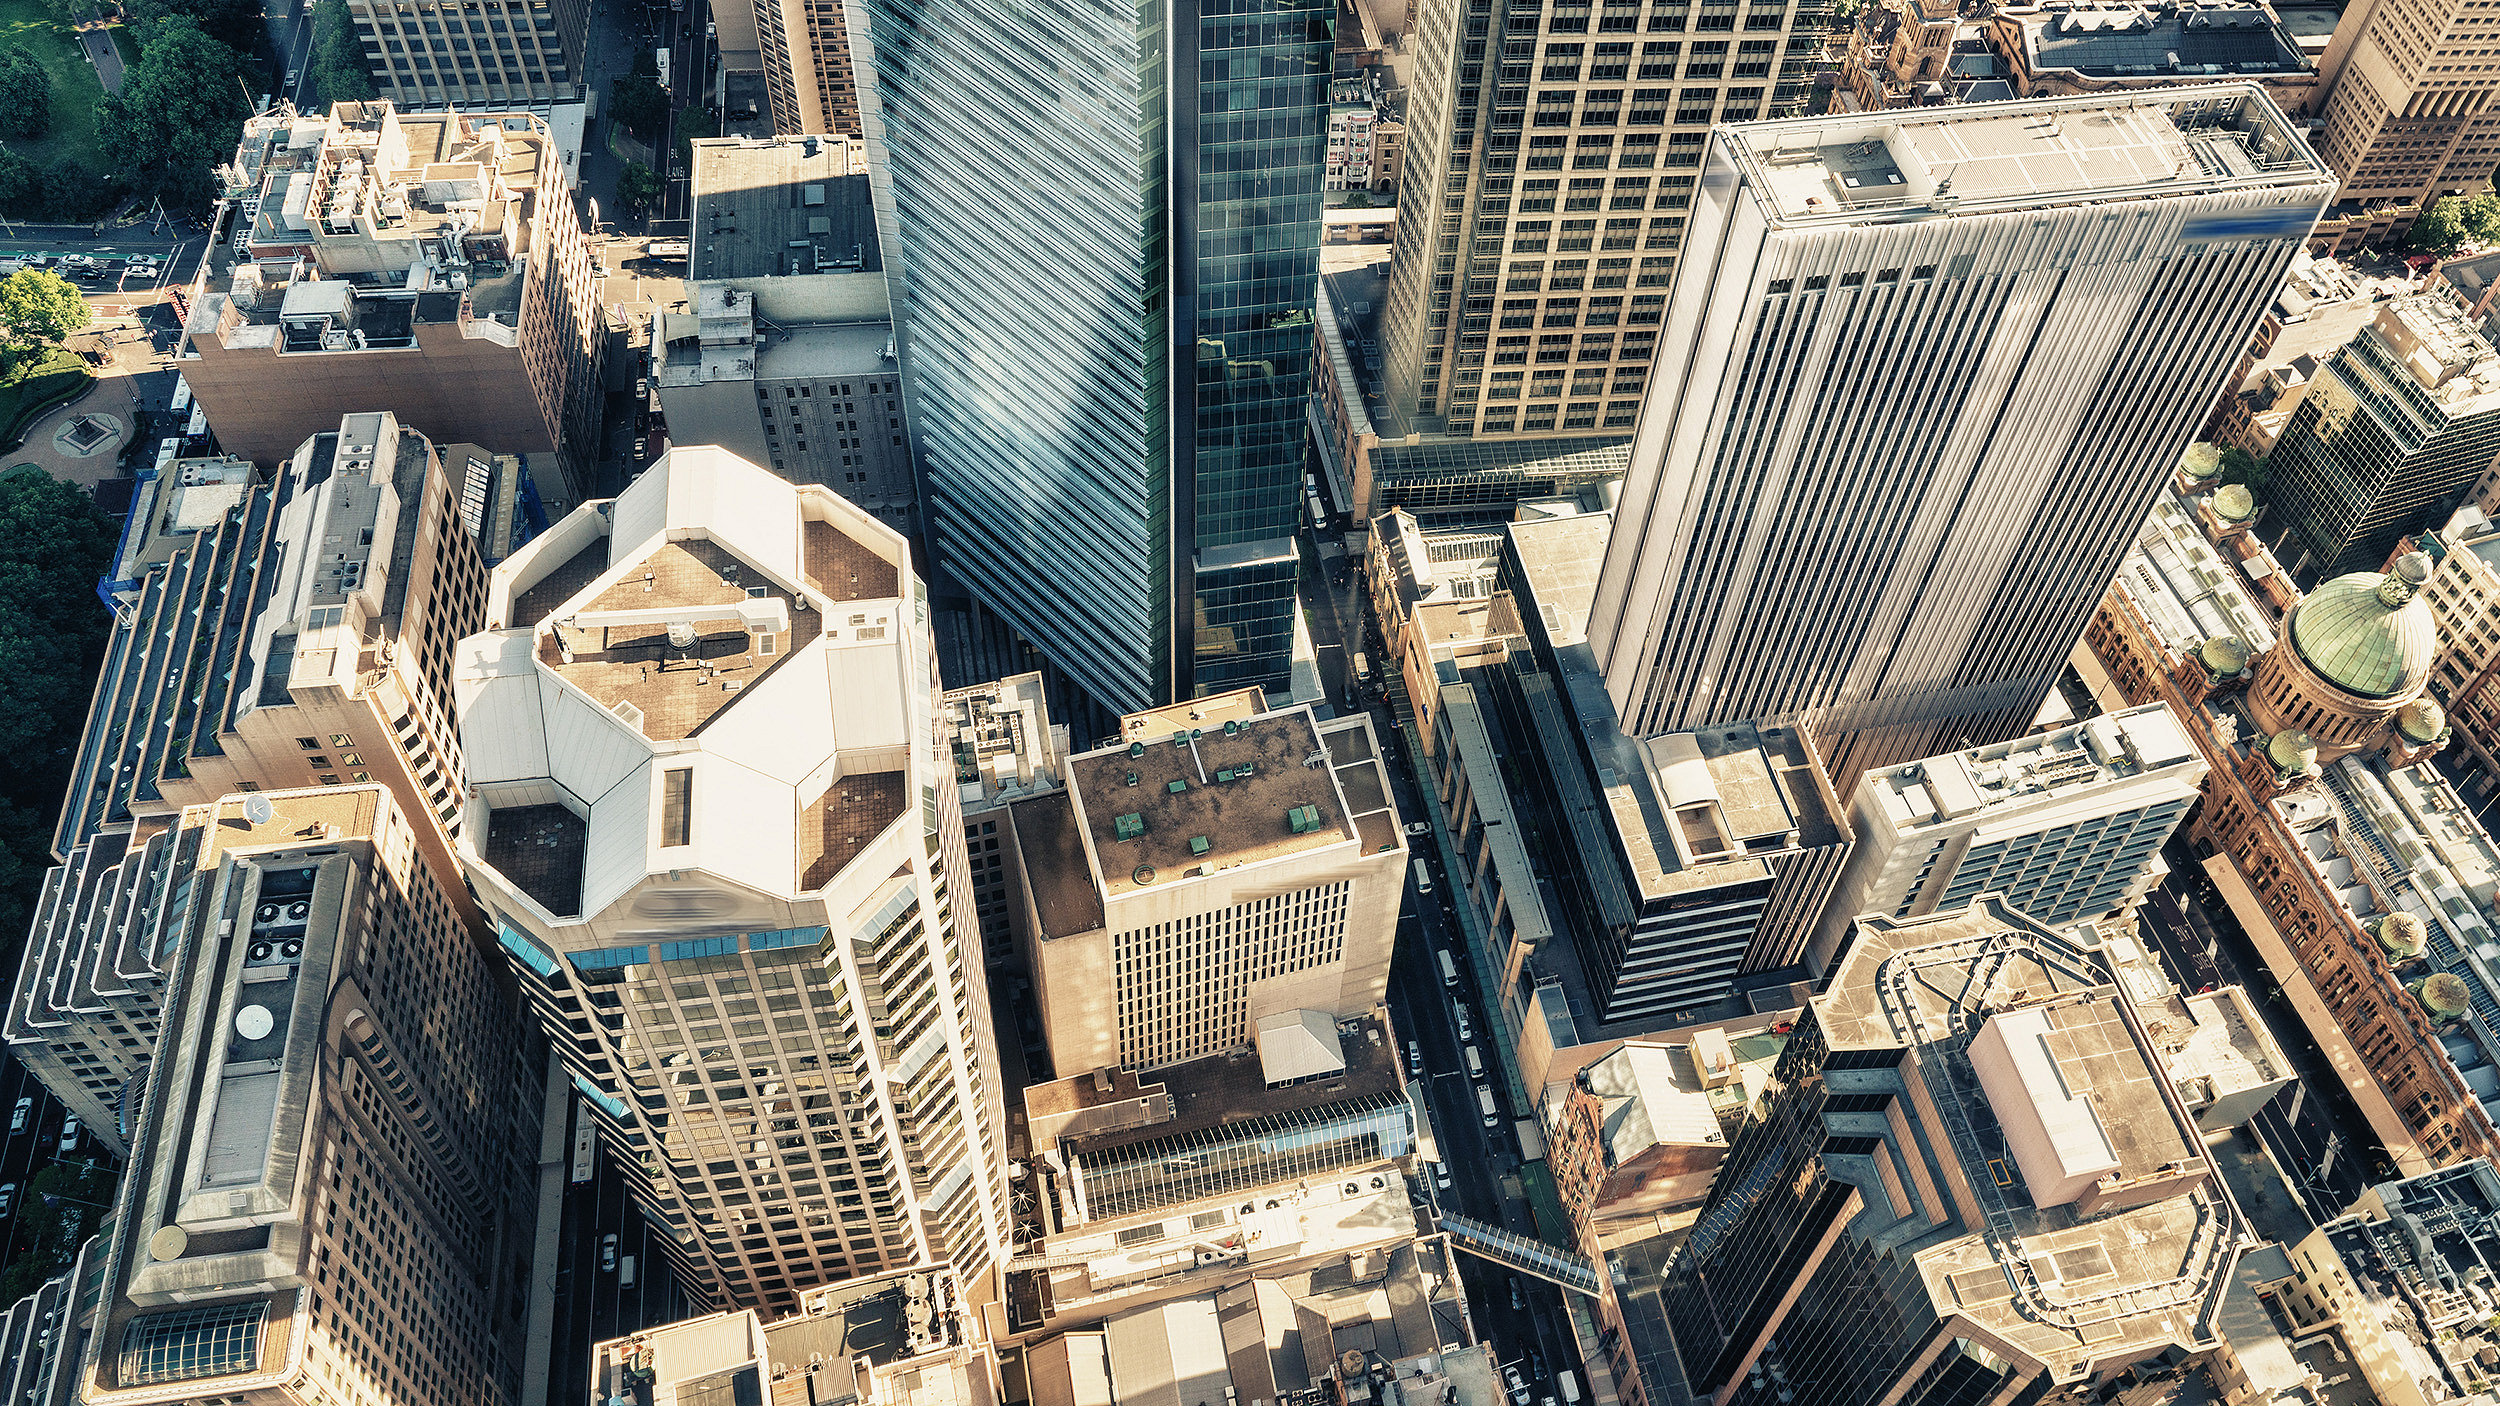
column 2409, row 111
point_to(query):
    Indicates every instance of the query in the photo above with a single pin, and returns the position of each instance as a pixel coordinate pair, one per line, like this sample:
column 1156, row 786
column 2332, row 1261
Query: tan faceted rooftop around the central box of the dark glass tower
column 2056, row 1285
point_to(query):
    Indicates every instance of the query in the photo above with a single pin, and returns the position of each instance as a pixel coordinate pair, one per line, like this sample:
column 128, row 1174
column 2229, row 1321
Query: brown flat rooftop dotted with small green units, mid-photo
column 1216, row 799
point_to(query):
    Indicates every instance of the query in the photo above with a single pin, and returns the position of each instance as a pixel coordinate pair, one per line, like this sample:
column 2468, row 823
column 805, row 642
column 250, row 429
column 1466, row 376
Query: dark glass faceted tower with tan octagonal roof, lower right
column 1971, row 1182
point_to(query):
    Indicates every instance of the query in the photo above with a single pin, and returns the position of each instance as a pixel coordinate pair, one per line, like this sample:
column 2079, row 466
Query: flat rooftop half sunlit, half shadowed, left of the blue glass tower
column 779, row 206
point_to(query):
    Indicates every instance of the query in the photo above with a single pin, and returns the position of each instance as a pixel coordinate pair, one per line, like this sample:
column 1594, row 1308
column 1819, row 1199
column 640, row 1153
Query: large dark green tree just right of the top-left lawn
column 176, row 111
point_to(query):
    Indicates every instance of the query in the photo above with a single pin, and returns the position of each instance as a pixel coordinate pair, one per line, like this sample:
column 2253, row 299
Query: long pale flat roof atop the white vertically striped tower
column 1989, row 156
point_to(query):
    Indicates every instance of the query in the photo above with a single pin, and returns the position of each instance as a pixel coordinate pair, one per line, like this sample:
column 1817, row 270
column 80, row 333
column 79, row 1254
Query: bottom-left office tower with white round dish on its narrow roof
column 334, row 1167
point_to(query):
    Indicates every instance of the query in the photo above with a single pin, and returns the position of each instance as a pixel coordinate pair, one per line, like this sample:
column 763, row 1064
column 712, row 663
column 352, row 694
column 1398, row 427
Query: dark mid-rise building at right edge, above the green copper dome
column 2389, row 439
